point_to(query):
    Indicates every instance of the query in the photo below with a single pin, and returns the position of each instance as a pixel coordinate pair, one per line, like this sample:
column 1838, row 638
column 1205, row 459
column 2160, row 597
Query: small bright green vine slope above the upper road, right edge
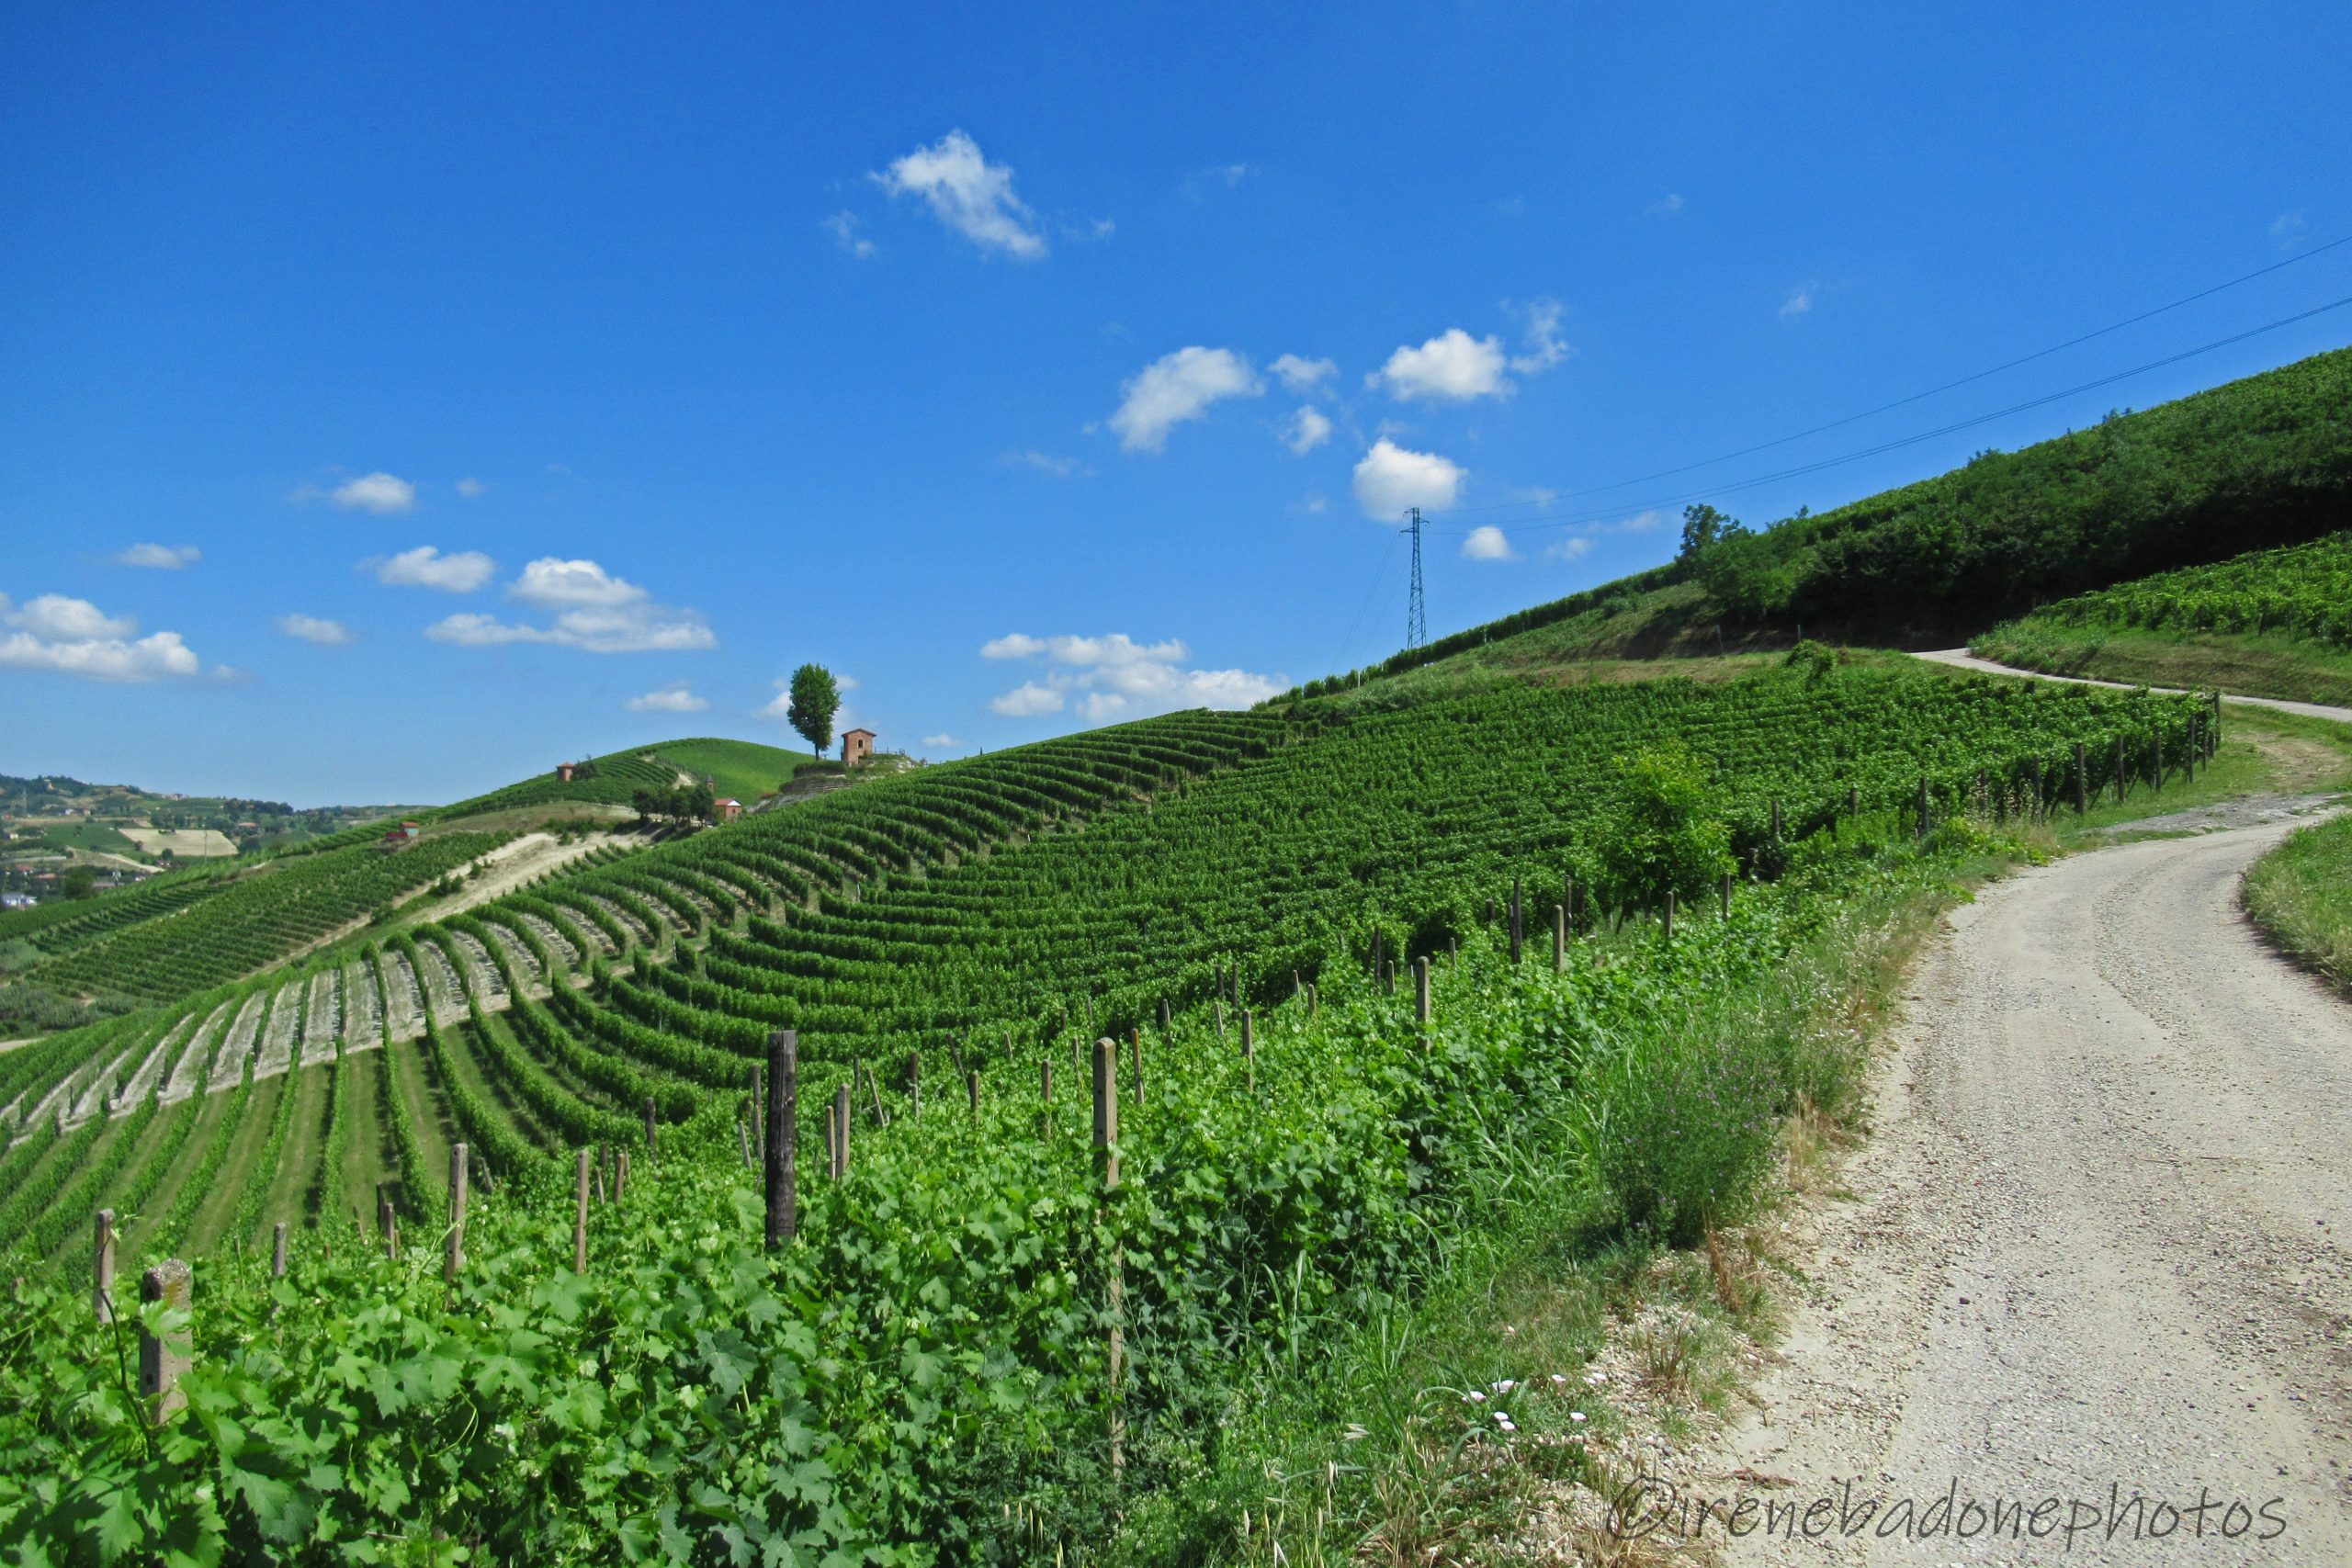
column 2266, row 624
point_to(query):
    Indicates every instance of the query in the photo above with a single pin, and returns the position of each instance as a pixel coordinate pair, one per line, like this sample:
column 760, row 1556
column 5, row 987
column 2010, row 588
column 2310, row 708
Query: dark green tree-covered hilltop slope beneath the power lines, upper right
column 2252, row 464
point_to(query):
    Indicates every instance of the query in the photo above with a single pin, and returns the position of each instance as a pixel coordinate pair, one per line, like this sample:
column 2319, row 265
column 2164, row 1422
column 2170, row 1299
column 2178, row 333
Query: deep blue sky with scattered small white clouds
column 472, row 375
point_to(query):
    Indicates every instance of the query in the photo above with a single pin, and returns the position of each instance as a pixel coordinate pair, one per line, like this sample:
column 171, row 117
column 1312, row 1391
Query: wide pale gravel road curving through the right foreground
column 2102, row 1242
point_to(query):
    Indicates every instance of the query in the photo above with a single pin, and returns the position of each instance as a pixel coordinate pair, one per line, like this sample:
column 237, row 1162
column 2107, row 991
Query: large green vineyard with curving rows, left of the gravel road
column 973, row 1327
